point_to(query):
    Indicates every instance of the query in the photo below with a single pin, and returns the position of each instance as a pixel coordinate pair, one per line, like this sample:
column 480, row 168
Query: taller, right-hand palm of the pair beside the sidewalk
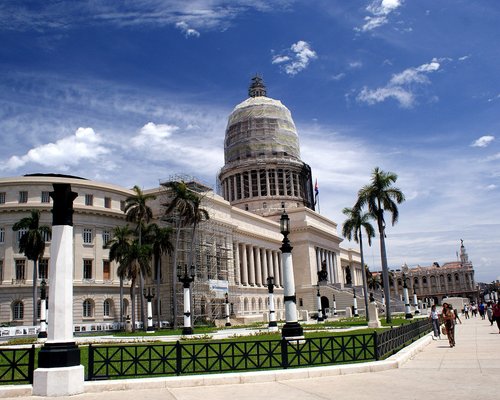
column 379, row 196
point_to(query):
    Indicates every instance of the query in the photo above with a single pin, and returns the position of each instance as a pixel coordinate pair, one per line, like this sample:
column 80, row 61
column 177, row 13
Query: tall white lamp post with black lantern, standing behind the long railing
column 292, row 328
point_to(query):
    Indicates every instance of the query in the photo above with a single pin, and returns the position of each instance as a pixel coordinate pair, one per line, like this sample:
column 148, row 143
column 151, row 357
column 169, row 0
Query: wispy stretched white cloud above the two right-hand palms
column 401, row 86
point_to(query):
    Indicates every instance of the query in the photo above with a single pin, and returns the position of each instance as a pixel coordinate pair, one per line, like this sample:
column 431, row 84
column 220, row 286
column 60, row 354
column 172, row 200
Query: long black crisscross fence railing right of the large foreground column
column 107, row 362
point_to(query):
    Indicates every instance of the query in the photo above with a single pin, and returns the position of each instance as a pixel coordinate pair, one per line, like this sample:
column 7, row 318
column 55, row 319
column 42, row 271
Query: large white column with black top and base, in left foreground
column 60, row 372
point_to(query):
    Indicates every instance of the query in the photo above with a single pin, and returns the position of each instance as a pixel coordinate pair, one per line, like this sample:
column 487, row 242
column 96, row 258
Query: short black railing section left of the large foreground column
column 17, row 365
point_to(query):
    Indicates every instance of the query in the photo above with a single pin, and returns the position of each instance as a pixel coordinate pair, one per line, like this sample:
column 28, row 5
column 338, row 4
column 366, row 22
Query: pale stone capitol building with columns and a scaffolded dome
column 236, row 249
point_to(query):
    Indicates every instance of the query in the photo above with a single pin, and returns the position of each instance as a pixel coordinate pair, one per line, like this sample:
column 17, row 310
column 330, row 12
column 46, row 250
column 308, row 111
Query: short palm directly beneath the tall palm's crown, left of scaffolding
column 134, row 264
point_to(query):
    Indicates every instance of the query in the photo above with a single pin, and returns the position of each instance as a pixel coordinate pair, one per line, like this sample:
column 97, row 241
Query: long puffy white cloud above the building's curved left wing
column 85, row 144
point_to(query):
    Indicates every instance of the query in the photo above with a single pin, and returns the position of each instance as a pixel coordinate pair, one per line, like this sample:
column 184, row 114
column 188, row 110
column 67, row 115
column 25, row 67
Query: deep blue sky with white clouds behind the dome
column 133, row 93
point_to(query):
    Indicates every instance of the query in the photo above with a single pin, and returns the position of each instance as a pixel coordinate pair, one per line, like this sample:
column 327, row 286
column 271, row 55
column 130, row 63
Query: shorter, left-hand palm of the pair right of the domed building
column 352, row 228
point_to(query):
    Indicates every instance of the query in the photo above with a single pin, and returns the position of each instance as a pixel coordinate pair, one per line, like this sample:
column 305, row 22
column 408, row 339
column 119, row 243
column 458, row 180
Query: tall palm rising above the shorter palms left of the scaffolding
column 139, row 212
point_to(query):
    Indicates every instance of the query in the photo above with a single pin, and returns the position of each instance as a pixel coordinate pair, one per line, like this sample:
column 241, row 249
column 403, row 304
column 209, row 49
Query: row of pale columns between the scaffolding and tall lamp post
column 254, row 264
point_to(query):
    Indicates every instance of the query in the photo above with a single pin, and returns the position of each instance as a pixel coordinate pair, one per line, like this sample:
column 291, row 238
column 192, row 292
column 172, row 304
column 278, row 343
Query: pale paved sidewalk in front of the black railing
column 427, row 370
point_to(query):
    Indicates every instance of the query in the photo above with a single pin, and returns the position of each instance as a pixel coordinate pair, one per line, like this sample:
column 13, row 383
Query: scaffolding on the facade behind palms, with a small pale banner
column 211, row 252
